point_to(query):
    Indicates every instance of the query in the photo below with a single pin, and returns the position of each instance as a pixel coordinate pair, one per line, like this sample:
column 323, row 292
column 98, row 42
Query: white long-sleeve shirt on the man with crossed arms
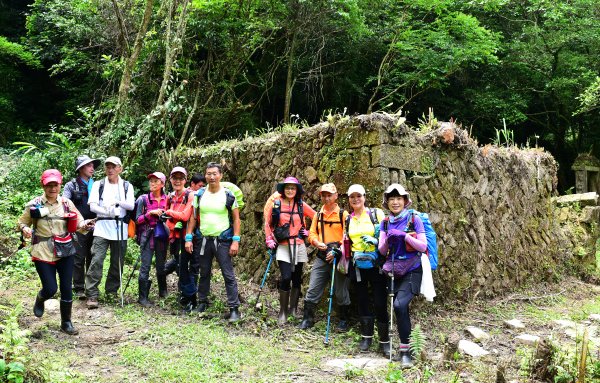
column 112, row 194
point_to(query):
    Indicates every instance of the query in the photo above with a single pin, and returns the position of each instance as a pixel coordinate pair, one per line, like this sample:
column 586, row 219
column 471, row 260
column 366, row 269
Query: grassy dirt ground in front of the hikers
column 159, row 344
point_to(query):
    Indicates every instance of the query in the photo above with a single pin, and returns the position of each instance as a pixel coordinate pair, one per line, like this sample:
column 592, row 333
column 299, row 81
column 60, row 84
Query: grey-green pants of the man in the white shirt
column 94, row 274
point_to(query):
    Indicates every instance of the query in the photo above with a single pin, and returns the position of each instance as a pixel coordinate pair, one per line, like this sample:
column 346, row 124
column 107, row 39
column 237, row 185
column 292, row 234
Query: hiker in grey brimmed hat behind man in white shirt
column 78, row 190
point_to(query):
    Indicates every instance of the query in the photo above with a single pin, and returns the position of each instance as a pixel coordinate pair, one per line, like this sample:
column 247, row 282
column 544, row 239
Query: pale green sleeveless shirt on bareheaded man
column 214, row 216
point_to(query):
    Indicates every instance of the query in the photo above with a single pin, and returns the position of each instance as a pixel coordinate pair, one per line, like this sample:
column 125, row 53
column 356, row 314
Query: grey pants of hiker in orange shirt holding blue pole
column 320, row 277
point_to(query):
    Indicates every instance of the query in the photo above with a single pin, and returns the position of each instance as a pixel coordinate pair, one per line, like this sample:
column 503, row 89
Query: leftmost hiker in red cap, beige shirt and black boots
column 44, row 220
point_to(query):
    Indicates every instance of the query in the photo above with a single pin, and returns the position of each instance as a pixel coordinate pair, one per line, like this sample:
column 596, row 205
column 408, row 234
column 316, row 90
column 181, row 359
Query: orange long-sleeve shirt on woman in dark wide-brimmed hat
column 288, row 209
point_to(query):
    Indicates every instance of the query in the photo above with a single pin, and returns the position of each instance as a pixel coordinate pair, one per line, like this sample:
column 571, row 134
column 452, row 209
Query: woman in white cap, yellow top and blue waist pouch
column 362, row 227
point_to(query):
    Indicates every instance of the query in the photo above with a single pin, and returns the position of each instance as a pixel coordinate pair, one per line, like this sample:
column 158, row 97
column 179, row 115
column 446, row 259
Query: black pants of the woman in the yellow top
column 378, row 297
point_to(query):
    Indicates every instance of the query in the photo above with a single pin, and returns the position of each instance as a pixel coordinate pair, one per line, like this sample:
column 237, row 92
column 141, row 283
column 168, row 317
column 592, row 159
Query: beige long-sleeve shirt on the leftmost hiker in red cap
column 48, row 226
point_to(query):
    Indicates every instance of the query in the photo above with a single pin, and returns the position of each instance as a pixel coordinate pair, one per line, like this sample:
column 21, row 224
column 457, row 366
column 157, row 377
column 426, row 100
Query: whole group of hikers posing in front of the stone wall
column 383, row 256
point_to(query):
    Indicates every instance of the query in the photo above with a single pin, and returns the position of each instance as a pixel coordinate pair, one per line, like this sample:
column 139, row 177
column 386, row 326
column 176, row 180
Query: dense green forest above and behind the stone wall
column 194, row 72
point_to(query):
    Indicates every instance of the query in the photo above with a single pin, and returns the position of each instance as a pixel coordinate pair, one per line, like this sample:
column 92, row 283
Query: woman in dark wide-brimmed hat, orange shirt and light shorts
column 285, row 231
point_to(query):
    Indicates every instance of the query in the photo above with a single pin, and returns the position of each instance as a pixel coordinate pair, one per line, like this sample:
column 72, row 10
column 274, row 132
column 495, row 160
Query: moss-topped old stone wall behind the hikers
column 491, row 206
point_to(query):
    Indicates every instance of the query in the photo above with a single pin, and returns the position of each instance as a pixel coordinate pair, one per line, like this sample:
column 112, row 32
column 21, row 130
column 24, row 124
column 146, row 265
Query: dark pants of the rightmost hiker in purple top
column 405, row 288
